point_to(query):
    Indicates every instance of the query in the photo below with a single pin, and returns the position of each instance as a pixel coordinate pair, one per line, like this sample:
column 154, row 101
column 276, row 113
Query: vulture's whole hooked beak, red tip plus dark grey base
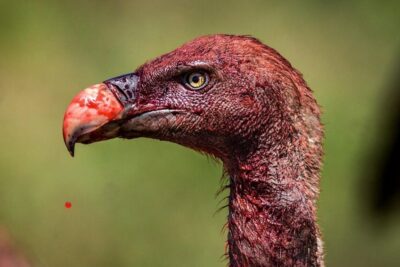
column 95, row 113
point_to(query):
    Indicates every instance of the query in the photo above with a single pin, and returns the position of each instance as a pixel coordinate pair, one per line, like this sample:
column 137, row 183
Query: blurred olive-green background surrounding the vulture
column 152, row 203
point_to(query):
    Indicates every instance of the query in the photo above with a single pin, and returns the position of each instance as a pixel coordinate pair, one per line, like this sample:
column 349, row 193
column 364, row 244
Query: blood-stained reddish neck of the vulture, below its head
column 272, row 213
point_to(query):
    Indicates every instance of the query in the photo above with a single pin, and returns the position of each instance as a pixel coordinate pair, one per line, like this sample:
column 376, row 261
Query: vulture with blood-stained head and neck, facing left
column 238, row 100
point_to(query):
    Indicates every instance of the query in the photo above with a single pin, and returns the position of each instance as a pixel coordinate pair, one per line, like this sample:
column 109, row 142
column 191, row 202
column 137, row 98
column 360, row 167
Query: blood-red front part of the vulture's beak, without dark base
column 91, row 116
